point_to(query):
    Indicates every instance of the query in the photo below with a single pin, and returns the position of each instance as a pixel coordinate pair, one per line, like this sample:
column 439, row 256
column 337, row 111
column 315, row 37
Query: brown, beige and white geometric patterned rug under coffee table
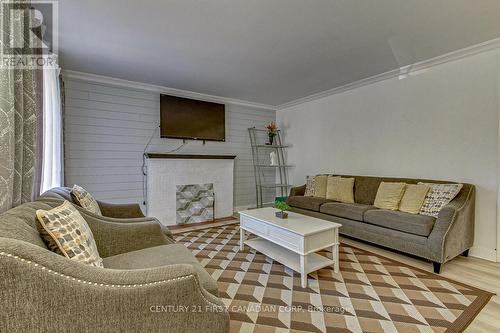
column 370, row 293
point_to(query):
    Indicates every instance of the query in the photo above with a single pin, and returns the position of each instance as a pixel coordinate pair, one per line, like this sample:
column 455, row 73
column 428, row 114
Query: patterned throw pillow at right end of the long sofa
column 438, row 196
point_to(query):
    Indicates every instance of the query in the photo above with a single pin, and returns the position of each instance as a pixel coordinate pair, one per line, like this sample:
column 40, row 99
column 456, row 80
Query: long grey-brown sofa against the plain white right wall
column 436, row 239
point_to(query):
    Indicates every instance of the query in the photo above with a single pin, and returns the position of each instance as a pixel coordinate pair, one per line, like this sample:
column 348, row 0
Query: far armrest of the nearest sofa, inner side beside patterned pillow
column 115, row 238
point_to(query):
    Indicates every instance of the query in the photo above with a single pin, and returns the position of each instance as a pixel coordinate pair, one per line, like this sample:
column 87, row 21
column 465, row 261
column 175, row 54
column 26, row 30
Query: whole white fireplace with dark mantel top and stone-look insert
column 181, row 188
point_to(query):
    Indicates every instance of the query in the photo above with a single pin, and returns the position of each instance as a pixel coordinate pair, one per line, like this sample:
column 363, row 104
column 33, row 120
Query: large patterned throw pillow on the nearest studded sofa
column 65, row 232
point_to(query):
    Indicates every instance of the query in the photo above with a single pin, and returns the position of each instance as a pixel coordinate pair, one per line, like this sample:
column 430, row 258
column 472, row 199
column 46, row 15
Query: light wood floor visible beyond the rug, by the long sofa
column 473, row 271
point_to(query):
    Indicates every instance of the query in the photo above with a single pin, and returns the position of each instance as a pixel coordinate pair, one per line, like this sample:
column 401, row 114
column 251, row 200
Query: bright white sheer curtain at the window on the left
column 52, row 160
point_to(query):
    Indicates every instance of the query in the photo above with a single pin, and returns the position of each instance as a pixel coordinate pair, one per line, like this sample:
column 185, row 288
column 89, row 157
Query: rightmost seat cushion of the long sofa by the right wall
column 413, row 224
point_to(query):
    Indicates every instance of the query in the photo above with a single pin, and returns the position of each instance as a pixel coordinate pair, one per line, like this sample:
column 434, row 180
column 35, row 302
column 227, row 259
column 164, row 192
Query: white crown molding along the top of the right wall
column 403, row 71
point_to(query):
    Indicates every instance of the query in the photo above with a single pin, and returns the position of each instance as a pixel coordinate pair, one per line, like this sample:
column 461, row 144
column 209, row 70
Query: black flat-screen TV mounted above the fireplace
column 184, row 118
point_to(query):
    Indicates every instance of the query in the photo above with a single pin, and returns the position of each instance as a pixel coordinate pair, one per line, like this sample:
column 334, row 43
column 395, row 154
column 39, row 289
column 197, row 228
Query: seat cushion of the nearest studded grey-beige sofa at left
column 161, row 256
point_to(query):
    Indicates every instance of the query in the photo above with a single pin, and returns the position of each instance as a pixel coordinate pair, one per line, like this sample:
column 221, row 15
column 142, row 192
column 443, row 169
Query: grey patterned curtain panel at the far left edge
column 18, row 121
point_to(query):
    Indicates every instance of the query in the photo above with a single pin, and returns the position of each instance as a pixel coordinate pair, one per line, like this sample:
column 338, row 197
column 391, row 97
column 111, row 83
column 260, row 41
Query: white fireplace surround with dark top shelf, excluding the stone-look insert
column 166, row 171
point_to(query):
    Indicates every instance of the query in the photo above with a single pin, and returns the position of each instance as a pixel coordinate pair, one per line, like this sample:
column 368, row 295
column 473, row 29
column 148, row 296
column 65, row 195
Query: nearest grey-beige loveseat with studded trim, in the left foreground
column 148, row 283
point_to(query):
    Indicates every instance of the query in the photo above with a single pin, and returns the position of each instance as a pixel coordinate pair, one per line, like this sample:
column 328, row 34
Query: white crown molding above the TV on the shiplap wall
column 106, row 80
